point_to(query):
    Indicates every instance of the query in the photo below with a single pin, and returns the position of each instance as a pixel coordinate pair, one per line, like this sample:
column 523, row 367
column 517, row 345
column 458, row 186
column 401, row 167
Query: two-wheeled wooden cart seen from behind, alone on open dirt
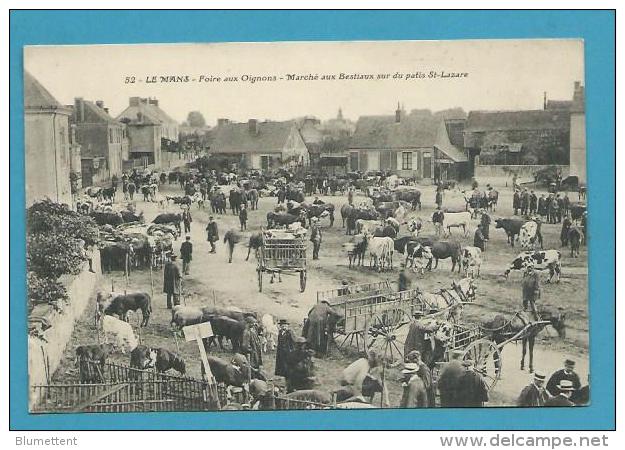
column 283, row 254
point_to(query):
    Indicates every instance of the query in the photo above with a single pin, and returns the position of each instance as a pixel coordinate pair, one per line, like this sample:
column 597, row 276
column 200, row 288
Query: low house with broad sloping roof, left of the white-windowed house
column 260, row 145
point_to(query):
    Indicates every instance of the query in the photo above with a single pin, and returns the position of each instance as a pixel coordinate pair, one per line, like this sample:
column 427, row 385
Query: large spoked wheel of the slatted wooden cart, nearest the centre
column 386, row 336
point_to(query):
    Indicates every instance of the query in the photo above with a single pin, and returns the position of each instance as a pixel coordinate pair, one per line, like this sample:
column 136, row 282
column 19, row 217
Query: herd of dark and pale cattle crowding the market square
column 384, row 228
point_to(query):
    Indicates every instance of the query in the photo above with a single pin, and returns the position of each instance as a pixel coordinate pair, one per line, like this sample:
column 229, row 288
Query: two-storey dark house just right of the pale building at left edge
column 103, row 140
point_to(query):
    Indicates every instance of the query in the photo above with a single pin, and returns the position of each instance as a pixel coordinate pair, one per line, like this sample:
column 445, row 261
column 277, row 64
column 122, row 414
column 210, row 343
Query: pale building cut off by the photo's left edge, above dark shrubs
column 47, row 143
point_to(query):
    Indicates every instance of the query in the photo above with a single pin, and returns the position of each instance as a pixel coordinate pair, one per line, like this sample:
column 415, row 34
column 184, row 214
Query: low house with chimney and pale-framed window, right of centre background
column 415, row 145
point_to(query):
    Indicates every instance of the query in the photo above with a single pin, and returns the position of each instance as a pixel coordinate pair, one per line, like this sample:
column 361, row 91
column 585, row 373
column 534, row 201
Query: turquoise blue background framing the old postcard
column 597, row 28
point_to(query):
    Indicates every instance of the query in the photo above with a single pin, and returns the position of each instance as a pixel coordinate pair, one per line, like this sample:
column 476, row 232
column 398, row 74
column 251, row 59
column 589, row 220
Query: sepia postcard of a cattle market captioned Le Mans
column 306, row 225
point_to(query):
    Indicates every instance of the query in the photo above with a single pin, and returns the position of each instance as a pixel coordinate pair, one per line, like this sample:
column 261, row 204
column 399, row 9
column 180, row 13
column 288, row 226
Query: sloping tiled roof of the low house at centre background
column 237, row 137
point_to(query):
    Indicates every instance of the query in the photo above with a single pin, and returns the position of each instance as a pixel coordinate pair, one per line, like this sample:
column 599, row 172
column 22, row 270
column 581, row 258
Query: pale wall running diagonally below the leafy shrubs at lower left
column 44, row 357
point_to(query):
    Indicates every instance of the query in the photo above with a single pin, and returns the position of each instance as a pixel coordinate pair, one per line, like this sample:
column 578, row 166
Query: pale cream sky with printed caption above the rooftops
column 501, row 75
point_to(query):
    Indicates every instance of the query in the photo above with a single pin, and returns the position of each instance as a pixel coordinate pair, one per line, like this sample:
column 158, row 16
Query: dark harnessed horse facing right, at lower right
column 502, row 330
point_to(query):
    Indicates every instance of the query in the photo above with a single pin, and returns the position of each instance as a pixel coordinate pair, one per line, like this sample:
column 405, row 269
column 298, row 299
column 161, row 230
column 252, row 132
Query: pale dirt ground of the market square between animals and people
column 212, row 279
